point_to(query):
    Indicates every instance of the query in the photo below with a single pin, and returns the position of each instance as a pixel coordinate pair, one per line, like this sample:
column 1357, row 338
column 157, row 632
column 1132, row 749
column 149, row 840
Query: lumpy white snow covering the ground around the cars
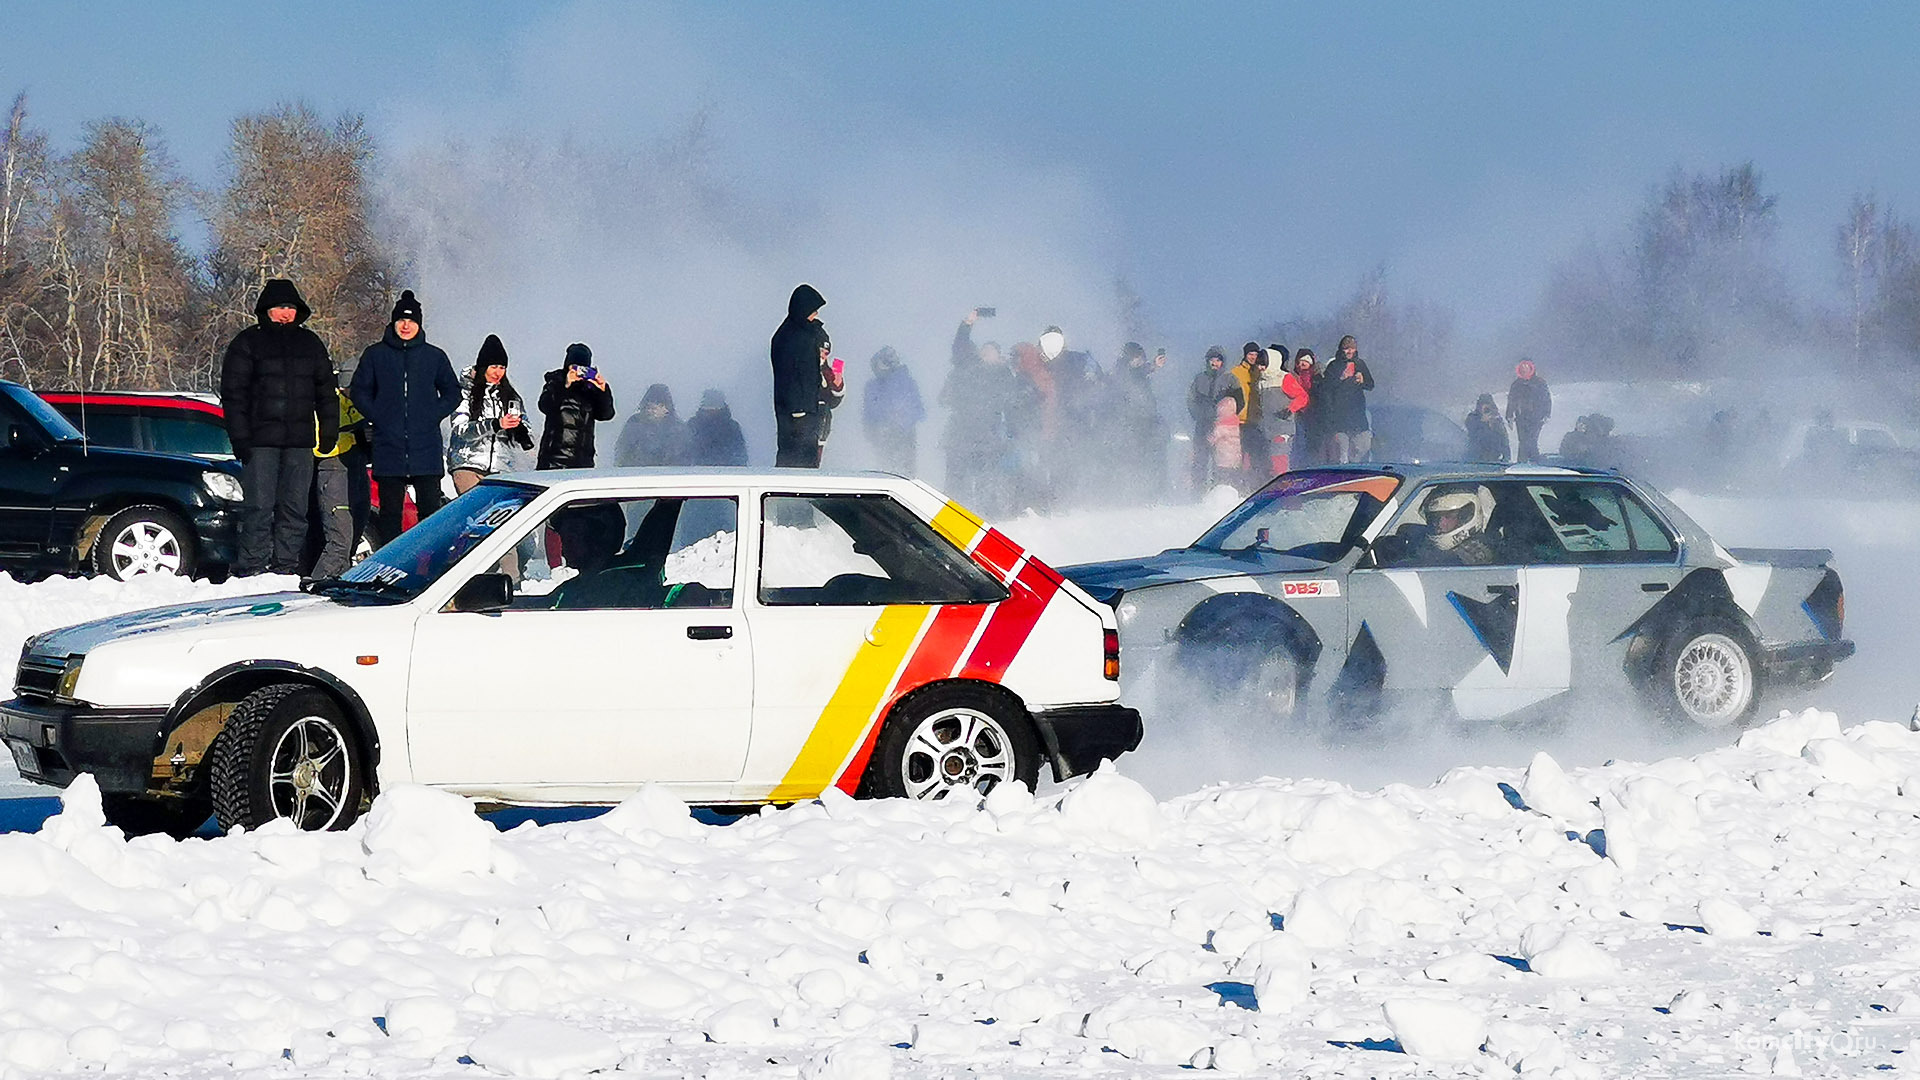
column 1742, row 910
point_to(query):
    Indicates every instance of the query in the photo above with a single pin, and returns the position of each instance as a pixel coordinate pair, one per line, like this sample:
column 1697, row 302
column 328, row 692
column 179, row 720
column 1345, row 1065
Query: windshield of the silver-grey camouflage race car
column 1316, row 516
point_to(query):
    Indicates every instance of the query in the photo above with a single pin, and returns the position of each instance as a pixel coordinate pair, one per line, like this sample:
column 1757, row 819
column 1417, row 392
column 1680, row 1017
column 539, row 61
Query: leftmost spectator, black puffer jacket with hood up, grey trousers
column 277, row 389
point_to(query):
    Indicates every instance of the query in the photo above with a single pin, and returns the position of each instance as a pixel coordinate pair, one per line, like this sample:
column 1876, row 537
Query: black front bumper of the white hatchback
column 55, row 745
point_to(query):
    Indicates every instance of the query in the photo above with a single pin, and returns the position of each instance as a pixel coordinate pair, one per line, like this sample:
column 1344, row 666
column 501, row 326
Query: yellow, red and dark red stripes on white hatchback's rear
column 917, row 645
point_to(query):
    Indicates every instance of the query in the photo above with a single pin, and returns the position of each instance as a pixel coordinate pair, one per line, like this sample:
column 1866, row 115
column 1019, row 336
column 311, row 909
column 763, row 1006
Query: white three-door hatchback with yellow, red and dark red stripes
column 569, row 637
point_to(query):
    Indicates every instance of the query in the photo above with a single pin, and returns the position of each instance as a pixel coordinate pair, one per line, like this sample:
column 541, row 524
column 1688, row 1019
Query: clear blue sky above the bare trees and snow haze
column 1234, row 160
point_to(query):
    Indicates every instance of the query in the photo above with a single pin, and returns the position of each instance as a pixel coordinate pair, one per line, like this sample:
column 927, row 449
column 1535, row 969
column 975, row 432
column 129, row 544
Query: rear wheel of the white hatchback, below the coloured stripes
column 951, row 743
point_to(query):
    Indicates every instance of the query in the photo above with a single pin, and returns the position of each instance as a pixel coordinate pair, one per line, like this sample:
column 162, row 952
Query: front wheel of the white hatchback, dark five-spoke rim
column 287, row 752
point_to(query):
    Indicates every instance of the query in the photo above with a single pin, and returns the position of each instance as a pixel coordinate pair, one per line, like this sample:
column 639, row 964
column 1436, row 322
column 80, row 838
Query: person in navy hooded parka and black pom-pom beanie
column 406, row 387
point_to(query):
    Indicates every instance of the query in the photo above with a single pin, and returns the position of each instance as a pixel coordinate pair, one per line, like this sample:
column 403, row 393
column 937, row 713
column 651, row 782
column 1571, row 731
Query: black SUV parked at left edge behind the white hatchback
column 68, row 506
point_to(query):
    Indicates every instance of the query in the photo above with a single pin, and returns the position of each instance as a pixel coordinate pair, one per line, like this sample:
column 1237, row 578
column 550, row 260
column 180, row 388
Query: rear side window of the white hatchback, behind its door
column 861, row 551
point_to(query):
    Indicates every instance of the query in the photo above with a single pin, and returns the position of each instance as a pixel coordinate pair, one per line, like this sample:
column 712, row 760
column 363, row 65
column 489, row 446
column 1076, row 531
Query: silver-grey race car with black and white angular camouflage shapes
column 1481, row 593
